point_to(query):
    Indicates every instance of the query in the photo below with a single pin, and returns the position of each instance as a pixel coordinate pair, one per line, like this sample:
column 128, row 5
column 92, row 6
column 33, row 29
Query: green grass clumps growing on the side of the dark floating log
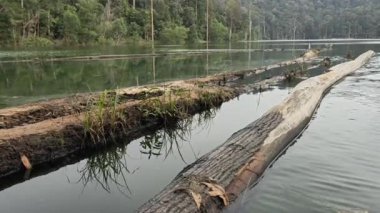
column 105, row 119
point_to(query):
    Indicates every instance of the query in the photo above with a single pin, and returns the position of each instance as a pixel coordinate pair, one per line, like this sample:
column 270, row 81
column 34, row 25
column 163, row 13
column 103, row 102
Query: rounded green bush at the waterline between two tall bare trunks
column 174, row 34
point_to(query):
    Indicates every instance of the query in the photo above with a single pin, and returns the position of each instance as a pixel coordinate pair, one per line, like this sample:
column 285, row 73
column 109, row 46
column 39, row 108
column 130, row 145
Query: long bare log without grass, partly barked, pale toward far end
column 221, row 175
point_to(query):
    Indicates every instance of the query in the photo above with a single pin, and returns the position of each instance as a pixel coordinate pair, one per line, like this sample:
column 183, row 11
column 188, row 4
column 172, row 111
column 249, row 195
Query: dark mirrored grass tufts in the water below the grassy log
column 110, row 169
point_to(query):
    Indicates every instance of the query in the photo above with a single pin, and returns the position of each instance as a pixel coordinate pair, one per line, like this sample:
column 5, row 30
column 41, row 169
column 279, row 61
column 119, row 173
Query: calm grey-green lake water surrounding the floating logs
column 332, row 167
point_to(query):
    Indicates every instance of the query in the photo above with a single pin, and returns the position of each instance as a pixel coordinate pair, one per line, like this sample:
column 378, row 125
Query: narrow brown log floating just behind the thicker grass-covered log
column 44, row 110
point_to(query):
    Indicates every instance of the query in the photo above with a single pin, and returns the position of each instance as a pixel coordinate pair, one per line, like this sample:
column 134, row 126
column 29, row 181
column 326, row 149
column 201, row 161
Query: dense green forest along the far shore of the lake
column 85, row 22
